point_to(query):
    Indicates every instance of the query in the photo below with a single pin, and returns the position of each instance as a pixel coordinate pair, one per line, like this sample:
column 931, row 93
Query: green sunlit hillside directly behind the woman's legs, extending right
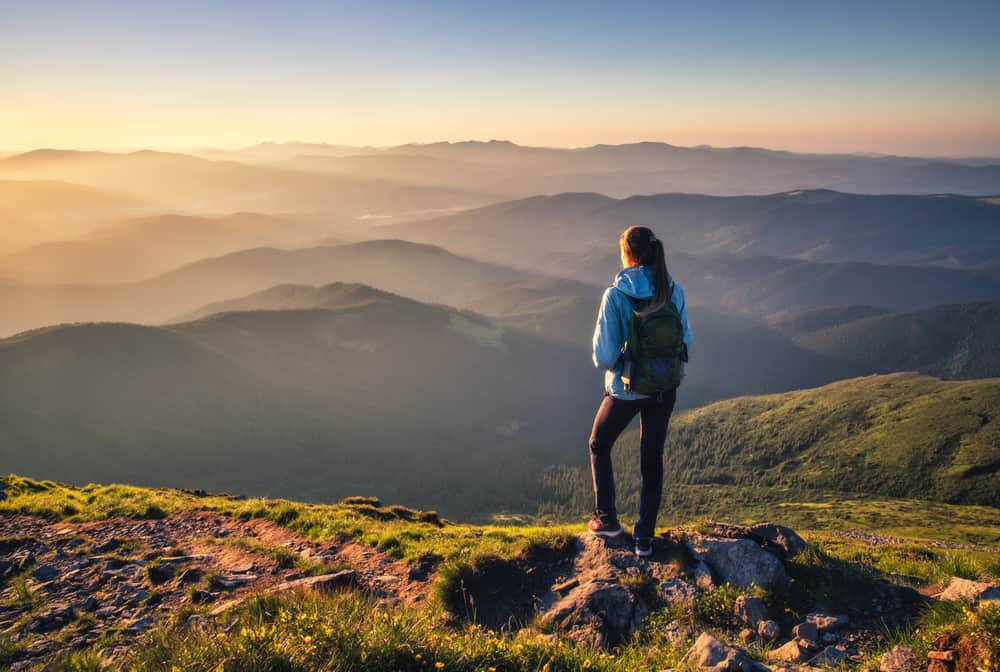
column 900, row 435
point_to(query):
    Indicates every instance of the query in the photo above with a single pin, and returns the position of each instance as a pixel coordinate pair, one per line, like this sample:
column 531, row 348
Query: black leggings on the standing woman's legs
column 613, row 416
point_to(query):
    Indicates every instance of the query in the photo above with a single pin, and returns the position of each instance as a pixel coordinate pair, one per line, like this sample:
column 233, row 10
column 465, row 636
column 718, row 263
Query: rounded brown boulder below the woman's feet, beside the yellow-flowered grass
column 601, row 608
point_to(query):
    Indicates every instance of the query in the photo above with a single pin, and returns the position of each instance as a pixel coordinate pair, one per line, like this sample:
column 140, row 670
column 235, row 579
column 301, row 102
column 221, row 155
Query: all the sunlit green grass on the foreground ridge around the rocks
column 348, row 631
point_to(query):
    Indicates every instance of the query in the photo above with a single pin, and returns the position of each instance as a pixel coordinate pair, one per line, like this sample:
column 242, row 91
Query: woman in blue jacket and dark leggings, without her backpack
column 645, row 281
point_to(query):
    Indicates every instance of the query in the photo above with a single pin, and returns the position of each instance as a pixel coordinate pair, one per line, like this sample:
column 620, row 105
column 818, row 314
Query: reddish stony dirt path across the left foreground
column 62, row 584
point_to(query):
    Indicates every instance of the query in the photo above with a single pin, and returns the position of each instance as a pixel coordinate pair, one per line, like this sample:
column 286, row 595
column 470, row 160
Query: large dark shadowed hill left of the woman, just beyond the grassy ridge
column 310, row 403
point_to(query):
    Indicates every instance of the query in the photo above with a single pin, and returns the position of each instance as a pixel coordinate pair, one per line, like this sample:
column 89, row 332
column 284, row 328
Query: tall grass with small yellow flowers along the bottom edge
column 349, row 632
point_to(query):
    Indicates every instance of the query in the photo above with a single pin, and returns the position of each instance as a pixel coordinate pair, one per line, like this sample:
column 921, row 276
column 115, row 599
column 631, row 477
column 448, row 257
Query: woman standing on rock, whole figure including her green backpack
column 641, row 340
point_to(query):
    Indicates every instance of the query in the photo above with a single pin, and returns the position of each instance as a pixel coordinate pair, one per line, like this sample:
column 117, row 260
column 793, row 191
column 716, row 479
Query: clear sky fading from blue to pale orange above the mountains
column 909, row 78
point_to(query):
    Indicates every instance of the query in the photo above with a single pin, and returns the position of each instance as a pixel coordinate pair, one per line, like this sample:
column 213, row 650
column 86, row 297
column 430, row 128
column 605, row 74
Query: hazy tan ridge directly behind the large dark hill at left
column 418, row 271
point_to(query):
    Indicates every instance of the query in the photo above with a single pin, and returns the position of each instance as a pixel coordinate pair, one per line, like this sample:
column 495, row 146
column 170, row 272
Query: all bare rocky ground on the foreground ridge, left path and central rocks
column 70, row 586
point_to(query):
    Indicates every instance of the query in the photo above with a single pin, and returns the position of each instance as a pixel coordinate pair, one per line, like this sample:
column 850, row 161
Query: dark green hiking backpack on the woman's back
column 654, row 350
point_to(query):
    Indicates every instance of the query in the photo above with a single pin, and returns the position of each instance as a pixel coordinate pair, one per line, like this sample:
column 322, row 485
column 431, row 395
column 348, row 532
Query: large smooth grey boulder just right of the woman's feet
column 740, row 562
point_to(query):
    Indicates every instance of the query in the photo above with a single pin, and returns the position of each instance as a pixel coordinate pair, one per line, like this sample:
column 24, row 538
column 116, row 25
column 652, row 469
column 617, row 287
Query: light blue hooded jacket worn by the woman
column 612, row 324
